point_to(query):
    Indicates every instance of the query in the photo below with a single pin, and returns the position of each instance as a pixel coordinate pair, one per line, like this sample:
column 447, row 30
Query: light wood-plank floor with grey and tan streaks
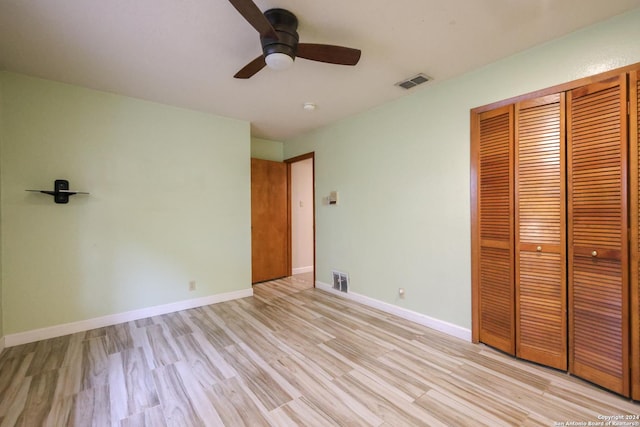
column 288, row 356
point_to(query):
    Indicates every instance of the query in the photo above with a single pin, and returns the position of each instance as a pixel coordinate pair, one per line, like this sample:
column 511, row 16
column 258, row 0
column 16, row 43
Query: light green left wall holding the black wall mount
column 169, row 203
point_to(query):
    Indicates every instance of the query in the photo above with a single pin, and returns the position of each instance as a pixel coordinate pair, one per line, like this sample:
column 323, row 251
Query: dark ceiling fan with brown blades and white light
column 279, row 39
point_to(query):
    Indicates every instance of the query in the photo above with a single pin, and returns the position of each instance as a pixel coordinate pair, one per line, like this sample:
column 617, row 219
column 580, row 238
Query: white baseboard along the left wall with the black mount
column 113, row 319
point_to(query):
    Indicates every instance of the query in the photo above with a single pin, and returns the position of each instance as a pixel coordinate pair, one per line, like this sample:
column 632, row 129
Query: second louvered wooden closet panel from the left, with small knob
column 540, row 285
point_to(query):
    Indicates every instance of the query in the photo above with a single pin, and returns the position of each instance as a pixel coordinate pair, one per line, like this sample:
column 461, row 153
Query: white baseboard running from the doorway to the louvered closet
column 430, row 322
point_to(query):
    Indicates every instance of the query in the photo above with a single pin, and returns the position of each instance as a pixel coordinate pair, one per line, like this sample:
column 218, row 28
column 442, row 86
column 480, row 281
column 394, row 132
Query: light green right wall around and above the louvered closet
column 402, row 172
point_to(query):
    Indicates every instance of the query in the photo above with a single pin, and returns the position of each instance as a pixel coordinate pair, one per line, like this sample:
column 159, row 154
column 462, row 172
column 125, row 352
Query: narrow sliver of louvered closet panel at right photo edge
column 634, row 161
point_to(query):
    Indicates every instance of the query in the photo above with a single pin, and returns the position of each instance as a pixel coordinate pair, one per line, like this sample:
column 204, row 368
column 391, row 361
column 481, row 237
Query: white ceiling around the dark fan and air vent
column 185, row 52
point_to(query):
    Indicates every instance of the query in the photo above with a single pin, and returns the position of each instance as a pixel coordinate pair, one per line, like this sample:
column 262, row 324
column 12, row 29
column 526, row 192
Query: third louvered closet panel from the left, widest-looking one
column 597, row 233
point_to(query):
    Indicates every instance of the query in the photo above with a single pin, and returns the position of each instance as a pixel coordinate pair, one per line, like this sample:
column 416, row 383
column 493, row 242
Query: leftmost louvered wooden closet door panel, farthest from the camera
column 495, row 228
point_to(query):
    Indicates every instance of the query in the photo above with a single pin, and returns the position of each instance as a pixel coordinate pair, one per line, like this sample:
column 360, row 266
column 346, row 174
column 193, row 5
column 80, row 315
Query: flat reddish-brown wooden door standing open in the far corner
column 269, row 221
